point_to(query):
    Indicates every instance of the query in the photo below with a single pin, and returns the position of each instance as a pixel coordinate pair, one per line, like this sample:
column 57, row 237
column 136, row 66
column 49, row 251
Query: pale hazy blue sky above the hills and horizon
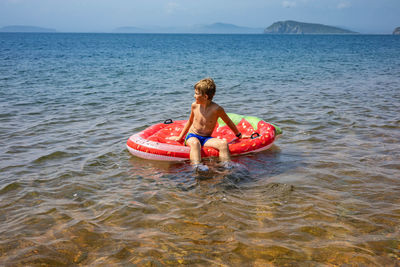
column 364, row 16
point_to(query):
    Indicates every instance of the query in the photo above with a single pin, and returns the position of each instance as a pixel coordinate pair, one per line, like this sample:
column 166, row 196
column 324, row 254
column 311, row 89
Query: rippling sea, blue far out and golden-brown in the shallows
column 327, row 193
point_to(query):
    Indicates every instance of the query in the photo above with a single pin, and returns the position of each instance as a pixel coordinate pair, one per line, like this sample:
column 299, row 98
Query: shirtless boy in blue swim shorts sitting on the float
column 201, row 124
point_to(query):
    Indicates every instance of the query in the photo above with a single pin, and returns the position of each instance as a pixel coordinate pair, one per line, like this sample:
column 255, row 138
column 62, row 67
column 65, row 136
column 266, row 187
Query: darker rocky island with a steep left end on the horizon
column 295, row 27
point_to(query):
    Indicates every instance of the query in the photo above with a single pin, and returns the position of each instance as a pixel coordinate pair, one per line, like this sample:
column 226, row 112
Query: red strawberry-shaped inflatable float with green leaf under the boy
column 153, row 143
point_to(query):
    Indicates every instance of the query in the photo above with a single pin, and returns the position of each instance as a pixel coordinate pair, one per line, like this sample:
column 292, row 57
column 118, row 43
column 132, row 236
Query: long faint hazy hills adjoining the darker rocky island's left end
column 216, row 28
